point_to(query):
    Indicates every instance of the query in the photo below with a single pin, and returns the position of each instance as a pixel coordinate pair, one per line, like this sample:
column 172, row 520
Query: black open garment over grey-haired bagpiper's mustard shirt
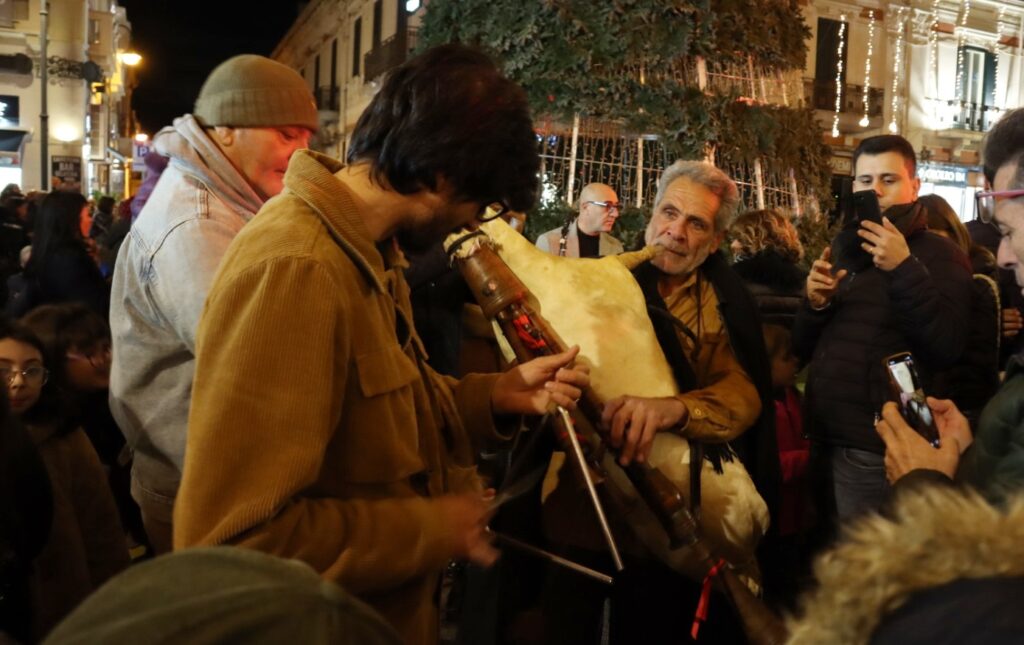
column 757, row 448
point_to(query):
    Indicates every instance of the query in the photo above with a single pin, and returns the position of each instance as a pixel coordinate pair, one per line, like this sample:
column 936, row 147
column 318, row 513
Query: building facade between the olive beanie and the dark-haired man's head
column 343, row 49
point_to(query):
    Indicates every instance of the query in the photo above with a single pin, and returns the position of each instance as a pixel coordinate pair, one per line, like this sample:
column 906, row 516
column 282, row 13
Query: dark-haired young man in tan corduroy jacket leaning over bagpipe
column 318, row 432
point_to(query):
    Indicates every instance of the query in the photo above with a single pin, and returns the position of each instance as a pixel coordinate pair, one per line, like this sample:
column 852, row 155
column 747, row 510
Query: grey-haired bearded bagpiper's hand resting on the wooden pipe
column 633, row 422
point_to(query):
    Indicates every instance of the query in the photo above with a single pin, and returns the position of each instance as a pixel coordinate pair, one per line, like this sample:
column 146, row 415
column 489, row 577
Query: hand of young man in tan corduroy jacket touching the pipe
column 536, row 386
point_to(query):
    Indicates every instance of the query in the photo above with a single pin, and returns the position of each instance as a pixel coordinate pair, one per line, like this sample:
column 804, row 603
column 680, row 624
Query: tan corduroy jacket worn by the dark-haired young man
column 317, row 431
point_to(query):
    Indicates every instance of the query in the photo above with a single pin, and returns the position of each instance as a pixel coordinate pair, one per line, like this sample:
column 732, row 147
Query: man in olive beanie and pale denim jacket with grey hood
column 226, row 160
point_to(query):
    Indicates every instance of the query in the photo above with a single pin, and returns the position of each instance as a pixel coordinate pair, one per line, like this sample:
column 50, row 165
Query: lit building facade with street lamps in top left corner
column 88, row 114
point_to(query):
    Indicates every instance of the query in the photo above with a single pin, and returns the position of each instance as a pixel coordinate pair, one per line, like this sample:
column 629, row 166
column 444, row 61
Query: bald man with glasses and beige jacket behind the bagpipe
column 588, row 235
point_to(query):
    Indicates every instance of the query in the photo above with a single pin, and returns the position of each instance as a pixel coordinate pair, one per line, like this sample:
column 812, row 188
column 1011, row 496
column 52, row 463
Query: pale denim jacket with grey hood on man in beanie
column 162, row 276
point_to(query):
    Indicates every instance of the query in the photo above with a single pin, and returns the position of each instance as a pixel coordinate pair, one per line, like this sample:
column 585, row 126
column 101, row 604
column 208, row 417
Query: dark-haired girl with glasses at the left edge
column 87, row 545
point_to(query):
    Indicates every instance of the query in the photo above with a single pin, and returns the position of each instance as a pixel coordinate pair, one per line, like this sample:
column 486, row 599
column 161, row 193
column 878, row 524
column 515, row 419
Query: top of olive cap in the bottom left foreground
column 222, row 595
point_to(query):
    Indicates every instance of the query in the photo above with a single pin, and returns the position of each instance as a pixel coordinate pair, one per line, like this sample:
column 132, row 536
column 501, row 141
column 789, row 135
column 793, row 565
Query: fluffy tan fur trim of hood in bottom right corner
column 934, row 536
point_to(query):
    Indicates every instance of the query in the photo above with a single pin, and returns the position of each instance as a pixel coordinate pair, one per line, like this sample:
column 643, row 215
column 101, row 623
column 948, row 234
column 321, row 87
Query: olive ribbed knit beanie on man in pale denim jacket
column 255, row 92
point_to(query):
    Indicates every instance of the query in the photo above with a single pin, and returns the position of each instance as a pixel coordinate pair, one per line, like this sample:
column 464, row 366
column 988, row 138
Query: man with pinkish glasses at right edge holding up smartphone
column 995, row 465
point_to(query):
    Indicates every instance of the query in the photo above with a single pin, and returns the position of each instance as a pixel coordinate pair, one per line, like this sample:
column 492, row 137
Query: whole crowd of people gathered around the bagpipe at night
column 267, row 351
